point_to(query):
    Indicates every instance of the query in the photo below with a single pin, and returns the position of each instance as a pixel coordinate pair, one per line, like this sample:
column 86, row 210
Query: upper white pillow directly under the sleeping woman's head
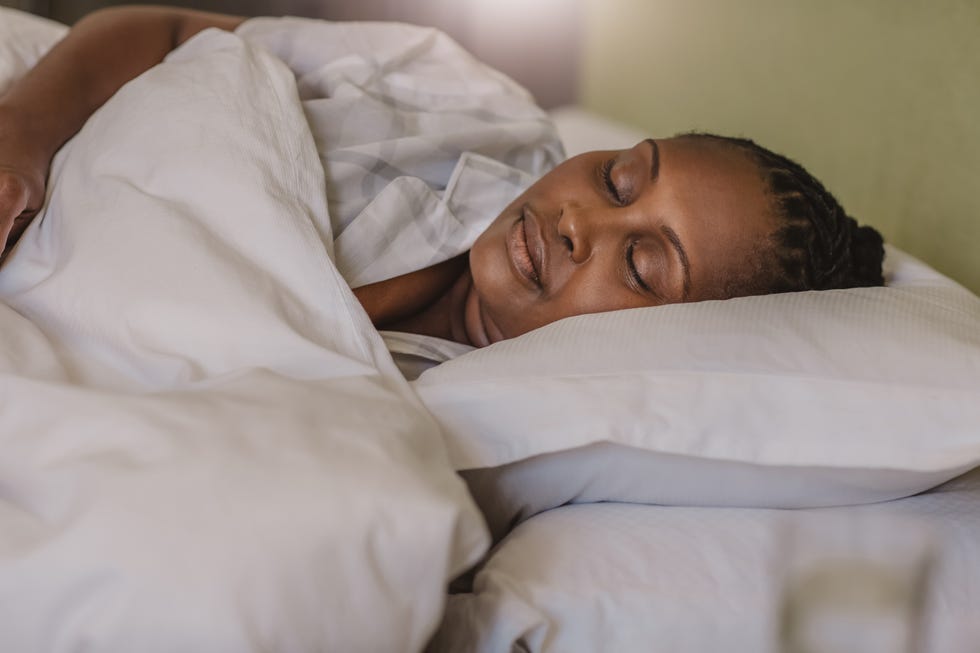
column 804, row 399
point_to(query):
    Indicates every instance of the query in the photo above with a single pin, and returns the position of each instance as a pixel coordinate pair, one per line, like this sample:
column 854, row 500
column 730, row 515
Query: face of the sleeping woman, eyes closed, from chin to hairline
column 665, row 221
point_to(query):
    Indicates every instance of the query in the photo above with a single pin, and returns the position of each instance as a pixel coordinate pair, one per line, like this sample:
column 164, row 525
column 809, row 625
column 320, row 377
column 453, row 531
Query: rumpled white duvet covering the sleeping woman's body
column 204, row 445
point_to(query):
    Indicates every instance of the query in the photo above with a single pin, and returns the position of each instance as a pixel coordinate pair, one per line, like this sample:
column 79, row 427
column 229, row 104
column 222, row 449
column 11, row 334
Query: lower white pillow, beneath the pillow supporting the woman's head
column 904, row 575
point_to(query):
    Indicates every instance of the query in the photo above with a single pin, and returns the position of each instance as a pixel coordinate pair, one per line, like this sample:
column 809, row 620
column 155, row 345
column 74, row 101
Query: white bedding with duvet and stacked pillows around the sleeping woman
column 170, row 483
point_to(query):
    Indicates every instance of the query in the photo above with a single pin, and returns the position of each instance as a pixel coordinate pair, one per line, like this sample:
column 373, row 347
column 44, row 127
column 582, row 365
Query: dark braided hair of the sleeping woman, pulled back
column 818, row 246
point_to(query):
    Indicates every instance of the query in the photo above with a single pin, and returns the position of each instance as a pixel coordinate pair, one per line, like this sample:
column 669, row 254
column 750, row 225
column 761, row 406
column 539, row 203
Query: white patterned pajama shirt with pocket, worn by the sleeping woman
column 422, row 144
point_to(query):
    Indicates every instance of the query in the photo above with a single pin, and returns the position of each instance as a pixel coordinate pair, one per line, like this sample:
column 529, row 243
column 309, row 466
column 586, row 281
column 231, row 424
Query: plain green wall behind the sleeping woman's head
column 880, row 99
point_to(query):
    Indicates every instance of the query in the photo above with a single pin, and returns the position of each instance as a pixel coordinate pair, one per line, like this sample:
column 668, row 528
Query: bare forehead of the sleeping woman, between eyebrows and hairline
column 717, row 200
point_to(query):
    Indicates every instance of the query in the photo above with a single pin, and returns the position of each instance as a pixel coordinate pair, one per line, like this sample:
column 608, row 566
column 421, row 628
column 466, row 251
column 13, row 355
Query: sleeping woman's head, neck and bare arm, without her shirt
column 683, row 219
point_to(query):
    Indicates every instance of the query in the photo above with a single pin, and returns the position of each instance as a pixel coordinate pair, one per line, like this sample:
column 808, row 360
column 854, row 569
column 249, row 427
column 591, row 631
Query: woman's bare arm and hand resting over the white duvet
column 40, row 112
